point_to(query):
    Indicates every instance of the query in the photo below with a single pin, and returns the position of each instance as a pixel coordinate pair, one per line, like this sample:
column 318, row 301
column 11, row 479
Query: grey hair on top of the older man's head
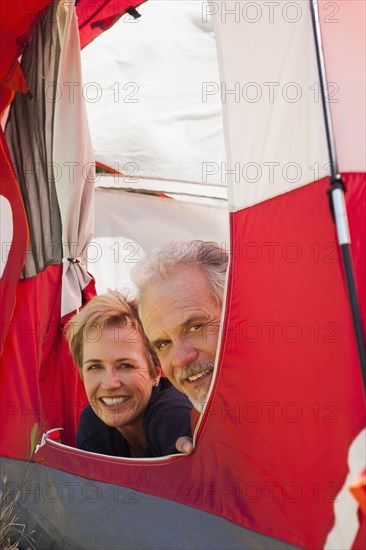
column 208, row 256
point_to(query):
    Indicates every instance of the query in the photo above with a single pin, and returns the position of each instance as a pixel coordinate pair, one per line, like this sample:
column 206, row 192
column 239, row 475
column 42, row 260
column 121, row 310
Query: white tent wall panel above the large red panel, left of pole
column 275, row 134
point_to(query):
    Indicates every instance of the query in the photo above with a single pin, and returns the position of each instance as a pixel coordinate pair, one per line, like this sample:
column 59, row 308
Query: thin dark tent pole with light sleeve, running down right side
column 337, row 196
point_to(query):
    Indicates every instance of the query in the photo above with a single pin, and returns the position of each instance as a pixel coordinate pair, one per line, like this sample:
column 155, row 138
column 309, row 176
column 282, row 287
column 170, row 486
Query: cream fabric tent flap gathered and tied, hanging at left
column 72, row 148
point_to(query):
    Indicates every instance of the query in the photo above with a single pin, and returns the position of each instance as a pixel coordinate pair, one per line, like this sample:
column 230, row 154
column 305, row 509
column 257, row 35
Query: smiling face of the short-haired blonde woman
column 116, row 375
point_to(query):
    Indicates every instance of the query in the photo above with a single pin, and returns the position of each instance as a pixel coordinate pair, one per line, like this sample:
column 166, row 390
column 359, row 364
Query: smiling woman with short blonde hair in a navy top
column 132, row 411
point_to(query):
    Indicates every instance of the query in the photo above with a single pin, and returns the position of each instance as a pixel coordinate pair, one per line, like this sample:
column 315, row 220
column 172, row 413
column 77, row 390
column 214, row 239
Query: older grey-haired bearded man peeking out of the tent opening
column 181, row 288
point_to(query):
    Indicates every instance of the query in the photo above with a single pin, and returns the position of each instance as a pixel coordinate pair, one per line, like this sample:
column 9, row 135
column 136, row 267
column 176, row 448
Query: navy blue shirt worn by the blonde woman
column 167, row 417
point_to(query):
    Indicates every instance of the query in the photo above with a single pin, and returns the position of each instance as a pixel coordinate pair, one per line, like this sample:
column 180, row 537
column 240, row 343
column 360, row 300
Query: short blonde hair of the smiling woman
column 106, row 311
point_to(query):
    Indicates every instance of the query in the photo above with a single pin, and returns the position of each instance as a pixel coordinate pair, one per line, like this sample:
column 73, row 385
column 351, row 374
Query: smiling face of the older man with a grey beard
column 181, row 318
